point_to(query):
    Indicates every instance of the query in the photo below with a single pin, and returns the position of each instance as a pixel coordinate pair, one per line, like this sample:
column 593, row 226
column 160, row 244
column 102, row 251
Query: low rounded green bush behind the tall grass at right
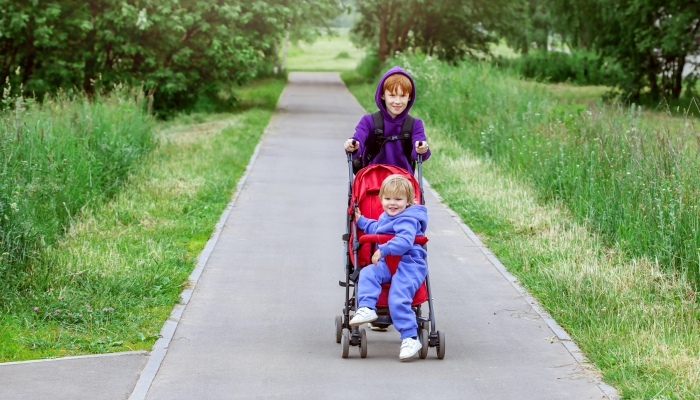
column 579, row 67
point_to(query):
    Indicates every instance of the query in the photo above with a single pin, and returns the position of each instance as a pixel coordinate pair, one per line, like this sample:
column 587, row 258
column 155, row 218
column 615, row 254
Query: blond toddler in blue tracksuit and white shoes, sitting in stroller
column 406, row 221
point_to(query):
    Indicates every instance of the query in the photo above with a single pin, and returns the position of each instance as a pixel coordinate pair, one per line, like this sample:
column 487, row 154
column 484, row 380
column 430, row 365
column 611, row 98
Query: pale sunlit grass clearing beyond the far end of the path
column 327, row 53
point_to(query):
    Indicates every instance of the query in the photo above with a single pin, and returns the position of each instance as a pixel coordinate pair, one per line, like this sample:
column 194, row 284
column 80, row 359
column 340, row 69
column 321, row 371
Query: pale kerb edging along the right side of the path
column 610, row 392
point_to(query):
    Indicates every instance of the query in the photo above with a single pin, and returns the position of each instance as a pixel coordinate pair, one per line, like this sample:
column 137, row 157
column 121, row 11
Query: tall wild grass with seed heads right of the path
column 636, row 184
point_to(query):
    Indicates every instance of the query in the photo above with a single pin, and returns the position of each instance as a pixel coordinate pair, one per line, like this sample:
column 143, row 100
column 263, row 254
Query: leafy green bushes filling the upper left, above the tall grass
column 181, row 50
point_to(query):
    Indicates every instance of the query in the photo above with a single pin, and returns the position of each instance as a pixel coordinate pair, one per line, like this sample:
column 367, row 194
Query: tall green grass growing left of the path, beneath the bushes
column 56, row 157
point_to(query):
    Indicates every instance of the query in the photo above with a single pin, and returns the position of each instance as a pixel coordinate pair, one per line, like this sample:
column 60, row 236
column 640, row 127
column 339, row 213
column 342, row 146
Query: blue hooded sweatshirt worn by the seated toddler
column 412, row 222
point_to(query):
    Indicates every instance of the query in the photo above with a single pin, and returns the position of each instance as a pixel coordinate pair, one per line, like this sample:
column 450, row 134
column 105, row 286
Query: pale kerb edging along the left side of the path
column 160, row 347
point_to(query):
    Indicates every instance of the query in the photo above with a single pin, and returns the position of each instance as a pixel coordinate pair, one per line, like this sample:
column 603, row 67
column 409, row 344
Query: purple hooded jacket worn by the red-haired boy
column 392, row 153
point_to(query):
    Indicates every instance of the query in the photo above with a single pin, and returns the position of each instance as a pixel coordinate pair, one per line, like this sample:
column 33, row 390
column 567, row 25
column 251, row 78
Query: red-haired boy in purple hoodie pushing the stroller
column 390, row 136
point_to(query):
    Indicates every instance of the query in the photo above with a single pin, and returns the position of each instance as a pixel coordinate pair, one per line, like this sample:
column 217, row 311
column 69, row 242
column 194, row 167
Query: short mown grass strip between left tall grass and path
column 109, row 284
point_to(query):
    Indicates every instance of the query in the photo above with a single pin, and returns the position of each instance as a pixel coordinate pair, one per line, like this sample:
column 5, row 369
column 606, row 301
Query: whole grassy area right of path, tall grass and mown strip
column 578, row 211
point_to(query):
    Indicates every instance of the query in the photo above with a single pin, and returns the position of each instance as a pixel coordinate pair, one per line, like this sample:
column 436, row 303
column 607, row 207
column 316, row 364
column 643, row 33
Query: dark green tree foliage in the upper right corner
column 649, row 39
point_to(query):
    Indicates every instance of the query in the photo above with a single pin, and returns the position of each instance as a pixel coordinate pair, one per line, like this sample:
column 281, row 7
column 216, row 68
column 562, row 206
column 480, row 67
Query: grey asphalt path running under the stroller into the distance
column 260, row 323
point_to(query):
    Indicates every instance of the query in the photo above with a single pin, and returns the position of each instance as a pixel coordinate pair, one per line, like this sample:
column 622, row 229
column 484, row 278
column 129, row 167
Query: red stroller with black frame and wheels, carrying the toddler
column 363, row 192
